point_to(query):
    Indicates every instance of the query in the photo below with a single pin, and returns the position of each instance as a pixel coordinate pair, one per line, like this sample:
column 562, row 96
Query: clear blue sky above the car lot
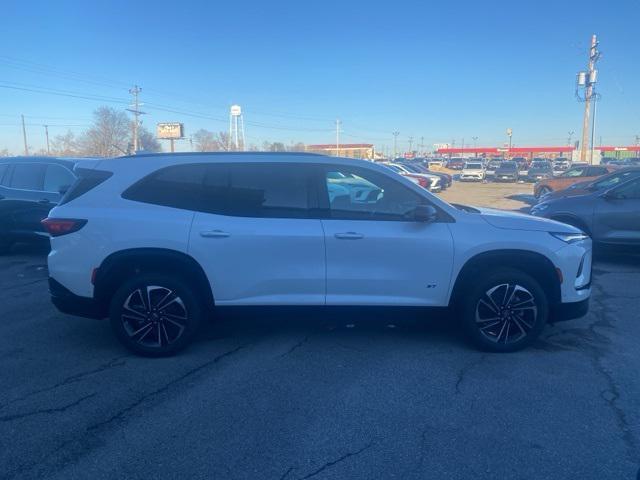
column 438, row 70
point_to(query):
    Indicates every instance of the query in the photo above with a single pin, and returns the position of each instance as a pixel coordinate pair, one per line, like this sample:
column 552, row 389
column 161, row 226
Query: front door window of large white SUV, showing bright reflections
column 358, row 194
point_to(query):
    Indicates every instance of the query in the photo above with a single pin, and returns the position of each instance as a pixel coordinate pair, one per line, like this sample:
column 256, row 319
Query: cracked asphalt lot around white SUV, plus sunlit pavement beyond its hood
column 324, row 394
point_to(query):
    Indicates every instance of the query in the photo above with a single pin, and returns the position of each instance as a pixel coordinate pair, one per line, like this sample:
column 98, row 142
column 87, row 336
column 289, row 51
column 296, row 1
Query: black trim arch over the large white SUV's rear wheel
column 124, row 264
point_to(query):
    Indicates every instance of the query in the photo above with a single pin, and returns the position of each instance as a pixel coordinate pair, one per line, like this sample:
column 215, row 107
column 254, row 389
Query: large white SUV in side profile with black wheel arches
column 154, row 242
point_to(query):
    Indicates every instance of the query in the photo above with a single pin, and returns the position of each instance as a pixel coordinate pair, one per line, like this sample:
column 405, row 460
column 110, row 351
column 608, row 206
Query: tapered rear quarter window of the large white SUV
column 180, row 186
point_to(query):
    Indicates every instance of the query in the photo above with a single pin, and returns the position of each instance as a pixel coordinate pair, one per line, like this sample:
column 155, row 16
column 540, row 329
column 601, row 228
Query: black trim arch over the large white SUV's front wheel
column 532, row 263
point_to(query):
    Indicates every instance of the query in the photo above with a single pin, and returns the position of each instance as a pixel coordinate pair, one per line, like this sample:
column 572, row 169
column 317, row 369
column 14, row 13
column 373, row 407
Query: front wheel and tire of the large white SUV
column 516, row 323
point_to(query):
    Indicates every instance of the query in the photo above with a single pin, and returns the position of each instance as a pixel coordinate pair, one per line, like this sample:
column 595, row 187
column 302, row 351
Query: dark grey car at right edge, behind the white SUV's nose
column 609, row 215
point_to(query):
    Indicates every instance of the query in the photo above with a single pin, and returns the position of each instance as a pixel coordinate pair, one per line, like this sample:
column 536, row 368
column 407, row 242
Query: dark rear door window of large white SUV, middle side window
column 277, row 190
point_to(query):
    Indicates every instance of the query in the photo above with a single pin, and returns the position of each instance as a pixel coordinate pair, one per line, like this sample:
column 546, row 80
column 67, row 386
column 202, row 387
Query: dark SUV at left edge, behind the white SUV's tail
column 29, row 188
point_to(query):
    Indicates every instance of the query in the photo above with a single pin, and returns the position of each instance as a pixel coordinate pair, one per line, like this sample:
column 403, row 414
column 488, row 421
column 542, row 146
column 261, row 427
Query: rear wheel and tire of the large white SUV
column 155, row 315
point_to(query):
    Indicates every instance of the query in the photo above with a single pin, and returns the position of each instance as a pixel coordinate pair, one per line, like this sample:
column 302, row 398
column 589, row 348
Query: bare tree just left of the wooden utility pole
column 109, row 135
